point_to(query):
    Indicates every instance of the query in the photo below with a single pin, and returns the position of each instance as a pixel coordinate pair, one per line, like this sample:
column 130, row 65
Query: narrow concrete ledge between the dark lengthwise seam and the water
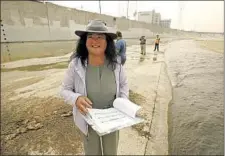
column 158, row 142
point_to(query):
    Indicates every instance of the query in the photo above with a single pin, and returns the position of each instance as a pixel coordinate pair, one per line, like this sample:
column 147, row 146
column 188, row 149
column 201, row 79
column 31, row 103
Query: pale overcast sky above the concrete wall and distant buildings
column 206, row 16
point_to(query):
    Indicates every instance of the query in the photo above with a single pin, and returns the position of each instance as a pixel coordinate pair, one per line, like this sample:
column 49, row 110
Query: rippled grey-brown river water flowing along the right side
column 196, row 114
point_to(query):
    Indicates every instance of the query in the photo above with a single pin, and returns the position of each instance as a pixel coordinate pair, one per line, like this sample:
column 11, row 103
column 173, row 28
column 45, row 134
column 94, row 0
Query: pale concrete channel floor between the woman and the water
column 150, row 80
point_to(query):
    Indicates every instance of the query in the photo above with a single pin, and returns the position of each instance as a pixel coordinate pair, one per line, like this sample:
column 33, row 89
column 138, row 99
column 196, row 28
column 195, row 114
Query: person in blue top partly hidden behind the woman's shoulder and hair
column 121, row 47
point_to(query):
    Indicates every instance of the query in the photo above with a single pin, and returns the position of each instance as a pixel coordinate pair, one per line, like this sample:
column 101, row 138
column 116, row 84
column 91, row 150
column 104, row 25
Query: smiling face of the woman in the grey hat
column 96, row 43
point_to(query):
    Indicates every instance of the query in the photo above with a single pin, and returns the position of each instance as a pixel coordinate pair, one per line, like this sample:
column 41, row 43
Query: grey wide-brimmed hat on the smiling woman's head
column 96, row 26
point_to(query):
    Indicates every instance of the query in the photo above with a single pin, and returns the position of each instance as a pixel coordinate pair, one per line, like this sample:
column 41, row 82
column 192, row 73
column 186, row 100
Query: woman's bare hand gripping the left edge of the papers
column 83, row 103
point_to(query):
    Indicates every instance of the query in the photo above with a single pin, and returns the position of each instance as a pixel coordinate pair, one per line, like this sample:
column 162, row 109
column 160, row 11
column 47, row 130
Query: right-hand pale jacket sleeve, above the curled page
column 124, row 89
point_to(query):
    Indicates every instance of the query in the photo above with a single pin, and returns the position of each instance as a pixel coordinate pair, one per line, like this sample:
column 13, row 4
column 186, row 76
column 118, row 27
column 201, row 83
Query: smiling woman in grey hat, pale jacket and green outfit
column 94, row 79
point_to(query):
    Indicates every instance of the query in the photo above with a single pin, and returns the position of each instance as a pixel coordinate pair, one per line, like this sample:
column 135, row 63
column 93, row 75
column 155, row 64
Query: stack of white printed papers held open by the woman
column 105, row 121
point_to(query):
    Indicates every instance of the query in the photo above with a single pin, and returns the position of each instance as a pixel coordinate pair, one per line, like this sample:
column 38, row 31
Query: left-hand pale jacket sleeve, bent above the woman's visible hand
column 68, row 92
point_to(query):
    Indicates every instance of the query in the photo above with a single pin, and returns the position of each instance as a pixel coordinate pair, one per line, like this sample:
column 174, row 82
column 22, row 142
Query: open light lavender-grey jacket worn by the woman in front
column 74, row 86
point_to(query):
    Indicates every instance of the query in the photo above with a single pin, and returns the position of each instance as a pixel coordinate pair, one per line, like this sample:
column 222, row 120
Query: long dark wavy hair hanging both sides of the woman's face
column 81, row 51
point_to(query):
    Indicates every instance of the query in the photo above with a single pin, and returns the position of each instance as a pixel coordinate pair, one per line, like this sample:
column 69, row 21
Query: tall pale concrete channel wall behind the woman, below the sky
column 35, row 21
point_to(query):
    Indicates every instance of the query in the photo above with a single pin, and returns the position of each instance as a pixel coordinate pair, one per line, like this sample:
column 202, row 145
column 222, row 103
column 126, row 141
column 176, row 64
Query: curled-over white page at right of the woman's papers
column 126, row 106
